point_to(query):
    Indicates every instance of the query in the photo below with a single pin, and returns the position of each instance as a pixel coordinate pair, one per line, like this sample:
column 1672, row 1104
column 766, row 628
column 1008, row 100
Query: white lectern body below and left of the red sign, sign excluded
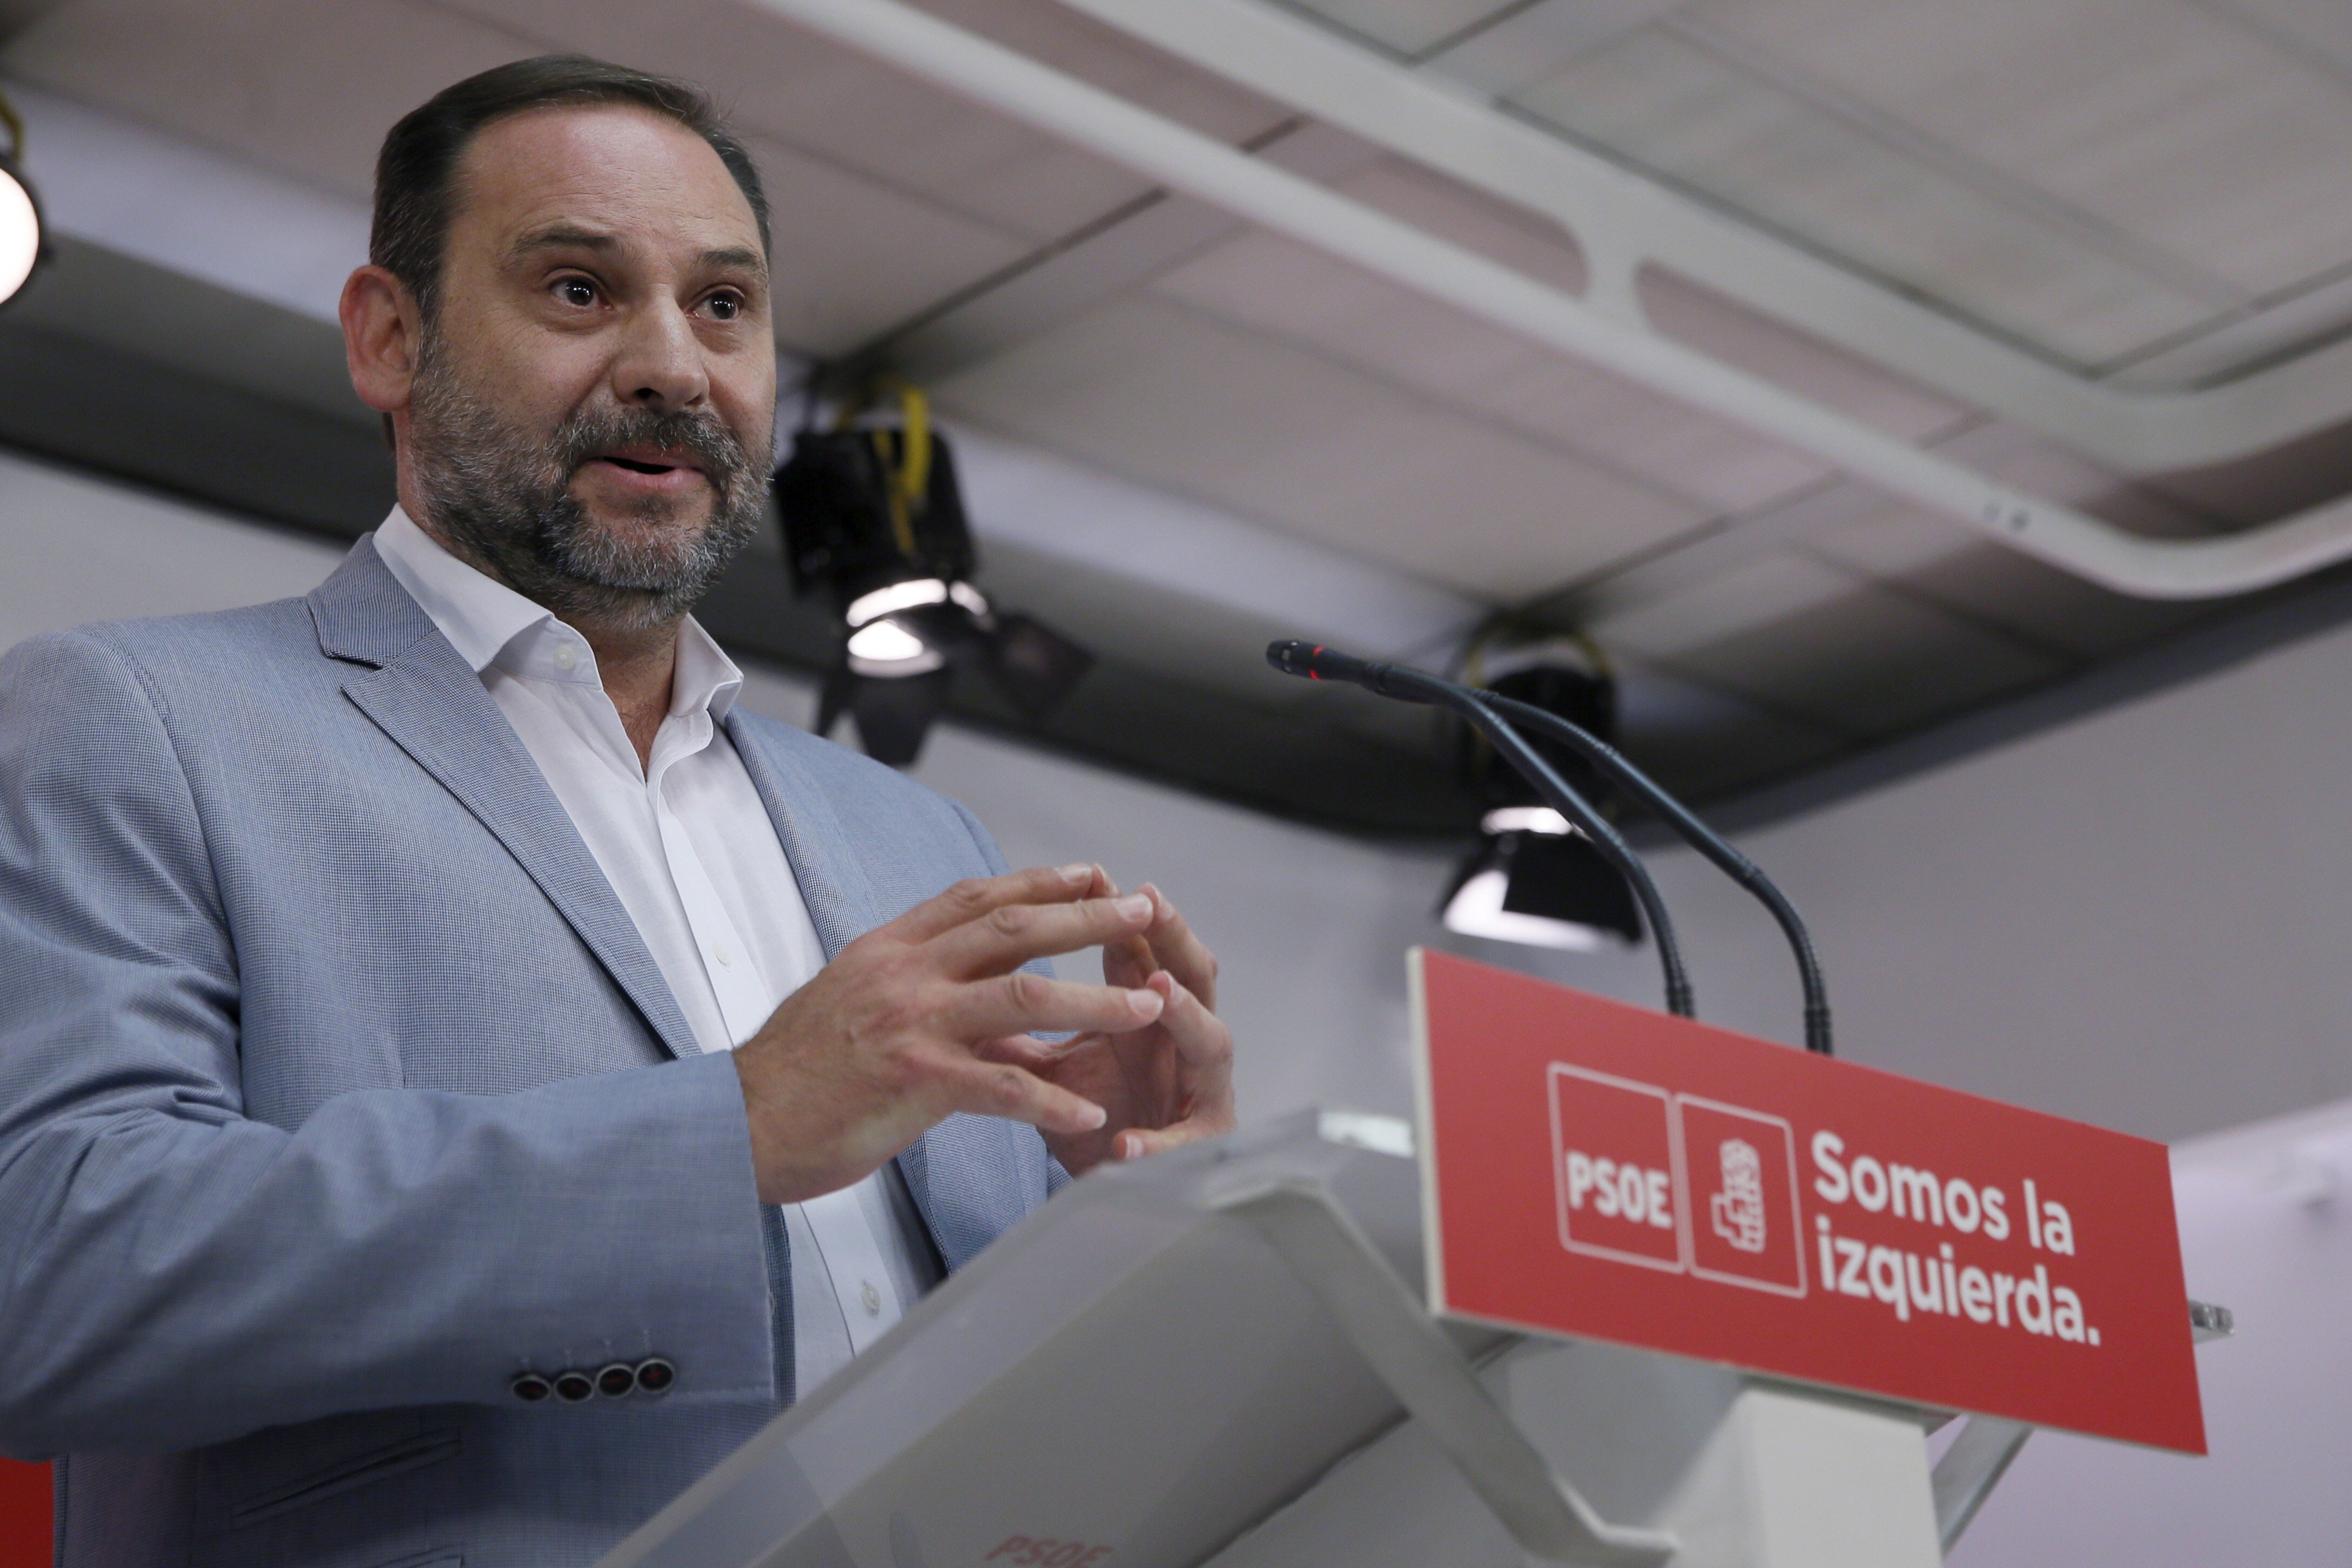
column 1224, row 1358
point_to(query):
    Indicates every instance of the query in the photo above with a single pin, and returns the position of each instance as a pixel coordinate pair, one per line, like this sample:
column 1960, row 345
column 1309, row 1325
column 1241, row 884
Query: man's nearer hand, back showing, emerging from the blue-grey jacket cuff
column 930, row 1017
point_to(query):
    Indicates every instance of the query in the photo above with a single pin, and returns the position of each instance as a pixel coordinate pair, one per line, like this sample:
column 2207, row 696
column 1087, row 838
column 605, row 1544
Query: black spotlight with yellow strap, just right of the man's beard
column 874, row 516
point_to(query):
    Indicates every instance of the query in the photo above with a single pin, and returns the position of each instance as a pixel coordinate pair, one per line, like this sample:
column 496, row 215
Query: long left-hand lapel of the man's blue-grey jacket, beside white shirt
column 434, row 706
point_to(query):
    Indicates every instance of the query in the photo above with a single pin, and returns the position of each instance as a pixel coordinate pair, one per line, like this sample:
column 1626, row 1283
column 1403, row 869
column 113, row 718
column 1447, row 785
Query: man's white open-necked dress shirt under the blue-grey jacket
column 690, row 850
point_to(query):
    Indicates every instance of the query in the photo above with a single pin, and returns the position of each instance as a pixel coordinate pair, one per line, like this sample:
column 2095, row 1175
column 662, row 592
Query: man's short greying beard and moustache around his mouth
column 505, row 500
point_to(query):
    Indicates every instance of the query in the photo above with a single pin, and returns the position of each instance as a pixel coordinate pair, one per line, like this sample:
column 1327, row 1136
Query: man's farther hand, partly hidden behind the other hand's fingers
column 1163, row 1083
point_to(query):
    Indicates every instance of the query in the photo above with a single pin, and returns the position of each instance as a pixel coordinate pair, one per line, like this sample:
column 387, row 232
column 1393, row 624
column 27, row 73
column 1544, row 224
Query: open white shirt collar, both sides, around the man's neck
column 486, row 619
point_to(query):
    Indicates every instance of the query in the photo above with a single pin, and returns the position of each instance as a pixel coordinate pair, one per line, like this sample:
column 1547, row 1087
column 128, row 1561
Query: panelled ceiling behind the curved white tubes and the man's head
column 1187, row 436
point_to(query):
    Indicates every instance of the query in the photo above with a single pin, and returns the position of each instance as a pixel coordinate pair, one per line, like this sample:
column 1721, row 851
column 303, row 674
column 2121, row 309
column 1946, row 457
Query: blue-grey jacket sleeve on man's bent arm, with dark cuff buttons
column 175, row 1273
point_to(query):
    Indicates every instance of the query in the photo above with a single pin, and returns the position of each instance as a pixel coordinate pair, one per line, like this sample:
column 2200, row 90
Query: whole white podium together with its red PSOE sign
column 1229, row 1355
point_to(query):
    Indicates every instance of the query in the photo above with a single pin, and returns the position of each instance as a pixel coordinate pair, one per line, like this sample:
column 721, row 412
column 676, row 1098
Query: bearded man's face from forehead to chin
column 596, row 391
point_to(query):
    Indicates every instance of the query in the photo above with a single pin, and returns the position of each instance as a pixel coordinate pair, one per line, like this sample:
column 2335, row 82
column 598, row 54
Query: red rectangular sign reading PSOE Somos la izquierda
column 1603, row 1172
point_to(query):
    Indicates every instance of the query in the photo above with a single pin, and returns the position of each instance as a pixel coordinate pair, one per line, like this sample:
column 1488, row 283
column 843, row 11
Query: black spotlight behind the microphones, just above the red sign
column 1532, row 876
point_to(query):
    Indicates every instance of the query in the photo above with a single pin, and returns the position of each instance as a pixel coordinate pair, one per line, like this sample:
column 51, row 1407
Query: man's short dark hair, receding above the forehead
column 417, row 166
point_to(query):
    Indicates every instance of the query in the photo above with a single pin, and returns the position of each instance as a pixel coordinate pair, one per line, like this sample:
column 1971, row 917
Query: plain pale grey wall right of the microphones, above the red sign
column 2139, row 920
